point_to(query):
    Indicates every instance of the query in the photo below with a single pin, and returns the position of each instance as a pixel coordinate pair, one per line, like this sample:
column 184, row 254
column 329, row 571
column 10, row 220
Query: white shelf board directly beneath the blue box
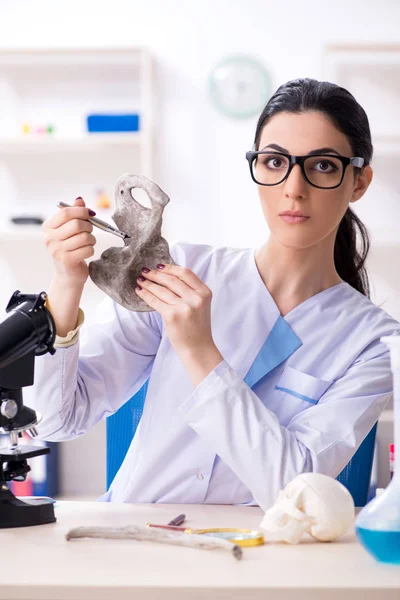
column 89, row 142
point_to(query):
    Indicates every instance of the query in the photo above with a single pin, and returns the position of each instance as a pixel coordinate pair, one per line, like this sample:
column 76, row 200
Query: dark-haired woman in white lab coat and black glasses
column 263, row 363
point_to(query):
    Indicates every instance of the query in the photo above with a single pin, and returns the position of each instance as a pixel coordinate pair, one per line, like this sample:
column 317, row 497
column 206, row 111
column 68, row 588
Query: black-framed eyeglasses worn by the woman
column 324, row 171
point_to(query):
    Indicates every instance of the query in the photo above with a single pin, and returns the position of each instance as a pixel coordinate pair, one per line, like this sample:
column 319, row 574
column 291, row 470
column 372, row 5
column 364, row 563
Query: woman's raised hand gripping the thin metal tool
column 68, row 237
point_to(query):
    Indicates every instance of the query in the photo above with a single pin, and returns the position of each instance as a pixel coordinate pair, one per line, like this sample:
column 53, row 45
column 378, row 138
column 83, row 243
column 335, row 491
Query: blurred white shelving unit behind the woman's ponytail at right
column 372, row 74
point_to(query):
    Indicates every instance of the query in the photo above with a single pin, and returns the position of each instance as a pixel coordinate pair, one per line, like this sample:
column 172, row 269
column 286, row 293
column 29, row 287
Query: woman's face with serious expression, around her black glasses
column 300, row 134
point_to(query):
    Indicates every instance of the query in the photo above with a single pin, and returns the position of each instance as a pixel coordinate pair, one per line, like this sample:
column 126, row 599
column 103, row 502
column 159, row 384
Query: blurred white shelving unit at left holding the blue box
column 59, row 88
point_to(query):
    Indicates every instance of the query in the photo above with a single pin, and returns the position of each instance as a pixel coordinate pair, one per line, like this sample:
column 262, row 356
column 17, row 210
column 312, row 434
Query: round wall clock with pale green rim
column 240, row 86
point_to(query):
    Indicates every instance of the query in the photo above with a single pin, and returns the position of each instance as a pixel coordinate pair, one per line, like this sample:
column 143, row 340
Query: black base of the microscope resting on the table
column 16, row 513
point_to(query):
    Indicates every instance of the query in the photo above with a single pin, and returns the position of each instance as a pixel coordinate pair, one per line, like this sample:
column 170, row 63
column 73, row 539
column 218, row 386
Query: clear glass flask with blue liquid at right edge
column 378, row 524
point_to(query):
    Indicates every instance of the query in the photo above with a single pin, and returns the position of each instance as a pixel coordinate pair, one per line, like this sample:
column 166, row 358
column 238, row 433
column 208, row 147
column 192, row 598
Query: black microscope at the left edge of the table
column 27, row 330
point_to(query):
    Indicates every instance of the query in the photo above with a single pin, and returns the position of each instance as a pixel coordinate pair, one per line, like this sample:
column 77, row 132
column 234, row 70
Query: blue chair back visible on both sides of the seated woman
column 121, row 427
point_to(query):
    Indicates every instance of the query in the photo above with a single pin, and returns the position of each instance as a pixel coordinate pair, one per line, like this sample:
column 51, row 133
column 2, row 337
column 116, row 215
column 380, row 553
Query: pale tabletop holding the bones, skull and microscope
column 37, row 563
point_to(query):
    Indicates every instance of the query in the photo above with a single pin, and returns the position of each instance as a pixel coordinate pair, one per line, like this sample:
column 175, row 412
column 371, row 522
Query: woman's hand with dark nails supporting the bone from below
column 184, row 302
